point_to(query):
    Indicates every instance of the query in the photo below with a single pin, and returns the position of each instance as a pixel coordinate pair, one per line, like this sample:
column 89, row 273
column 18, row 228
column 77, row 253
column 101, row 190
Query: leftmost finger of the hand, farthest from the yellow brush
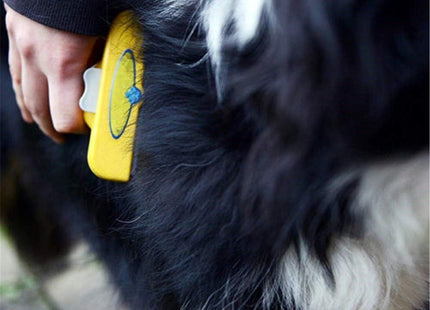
column 15, row 72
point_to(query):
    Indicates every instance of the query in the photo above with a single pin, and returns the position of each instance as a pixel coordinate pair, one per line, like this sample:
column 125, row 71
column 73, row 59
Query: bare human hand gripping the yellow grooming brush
column 46, row 66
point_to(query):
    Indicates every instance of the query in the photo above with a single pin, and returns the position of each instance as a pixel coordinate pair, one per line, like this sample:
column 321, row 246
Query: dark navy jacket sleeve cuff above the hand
column 89, row 17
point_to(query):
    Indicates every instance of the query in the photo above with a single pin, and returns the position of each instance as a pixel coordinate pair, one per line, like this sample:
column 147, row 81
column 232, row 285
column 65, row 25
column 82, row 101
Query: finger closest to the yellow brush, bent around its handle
column 64, row 96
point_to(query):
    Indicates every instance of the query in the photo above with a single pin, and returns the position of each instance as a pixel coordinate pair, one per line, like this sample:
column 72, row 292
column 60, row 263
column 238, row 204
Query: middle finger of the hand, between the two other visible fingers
column 35, row 95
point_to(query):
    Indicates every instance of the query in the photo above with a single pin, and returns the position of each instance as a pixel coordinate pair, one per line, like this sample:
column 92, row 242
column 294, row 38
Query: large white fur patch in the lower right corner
column 385, row 270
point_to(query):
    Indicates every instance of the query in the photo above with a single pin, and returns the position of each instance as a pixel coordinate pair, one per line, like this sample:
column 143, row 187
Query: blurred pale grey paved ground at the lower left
column 83, row 285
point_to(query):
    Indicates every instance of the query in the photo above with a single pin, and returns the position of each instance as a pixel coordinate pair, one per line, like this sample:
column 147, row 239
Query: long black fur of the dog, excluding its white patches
column 221, row 188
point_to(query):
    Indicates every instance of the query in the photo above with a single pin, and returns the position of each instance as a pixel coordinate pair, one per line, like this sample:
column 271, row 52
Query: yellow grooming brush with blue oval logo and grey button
column 111, row 101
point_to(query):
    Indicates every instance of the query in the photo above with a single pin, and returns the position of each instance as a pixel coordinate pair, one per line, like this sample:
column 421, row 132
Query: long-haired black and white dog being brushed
column 281, row 161
